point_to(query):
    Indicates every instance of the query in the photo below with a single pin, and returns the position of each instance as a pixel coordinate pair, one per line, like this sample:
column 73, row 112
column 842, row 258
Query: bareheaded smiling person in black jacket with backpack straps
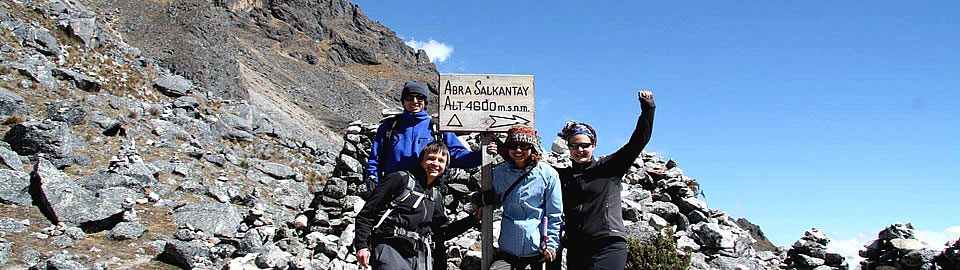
column 396, row 226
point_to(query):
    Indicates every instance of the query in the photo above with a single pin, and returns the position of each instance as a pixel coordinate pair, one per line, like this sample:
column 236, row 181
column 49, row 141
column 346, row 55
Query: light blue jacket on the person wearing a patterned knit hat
column 538, row 195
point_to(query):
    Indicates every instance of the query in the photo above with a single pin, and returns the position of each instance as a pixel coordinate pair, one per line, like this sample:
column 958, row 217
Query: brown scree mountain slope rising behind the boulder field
column 318, row 63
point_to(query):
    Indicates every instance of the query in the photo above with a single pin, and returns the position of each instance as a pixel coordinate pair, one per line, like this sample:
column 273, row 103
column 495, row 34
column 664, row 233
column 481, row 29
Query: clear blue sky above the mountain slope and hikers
column 838, row 115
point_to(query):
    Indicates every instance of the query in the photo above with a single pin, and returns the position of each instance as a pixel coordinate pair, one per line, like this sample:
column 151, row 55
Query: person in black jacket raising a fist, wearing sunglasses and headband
column 595, row 235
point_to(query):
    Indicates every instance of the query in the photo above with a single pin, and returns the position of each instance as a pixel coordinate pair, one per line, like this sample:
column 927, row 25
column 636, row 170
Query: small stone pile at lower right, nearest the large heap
column 810, row 252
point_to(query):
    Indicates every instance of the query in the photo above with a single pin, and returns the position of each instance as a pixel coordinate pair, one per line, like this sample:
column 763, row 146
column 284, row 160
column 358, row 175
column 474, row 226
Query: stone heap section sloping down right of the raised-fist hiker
column 659, row 197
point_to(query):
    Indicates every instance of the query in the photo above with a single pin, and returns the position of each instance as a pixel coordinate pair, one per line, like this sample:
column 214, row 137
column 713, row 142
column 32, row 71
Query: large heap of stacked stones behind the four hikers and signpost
column 657, row 198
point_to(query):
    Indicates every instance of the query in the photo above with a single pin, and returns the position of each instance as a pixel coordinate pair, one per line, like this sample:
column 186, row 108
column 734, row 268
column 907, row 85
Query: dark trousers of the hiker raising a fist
column 597, row 254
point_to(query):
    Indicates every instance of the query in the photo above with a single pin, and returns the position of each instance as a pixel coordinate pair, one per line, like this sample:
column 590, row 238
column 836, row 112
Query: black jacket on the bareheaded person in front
column 426, row 219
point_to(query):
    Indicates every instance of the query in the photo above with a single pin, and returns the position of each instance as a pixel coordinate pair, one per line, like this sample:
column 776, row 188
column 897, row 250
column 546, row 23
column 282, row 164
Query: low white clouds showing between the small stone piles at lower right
column 851, row 247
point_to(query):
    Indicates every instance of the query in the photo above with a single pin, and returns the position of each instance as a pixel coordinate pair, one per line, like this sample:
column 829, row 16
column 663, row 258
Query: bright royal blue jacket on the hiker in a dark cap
column 403, row 151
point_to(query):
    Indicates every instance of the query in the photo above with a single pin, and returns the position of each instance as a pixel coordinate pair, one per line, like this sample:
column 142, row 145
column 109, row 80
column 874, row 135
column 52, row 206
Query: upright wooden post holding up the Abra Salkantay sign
column 486, row 229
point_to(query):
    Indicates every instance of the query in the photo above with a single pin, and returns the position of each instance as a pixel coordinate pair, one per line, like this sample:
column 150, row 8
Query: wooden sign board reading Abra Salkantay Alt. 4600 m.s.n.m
column 485, row 102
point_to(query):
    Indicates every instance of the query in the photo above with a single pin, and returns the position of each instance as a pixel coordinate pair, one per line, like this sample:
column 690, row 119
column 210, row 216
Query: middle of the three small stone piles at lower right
column 897, row 248
